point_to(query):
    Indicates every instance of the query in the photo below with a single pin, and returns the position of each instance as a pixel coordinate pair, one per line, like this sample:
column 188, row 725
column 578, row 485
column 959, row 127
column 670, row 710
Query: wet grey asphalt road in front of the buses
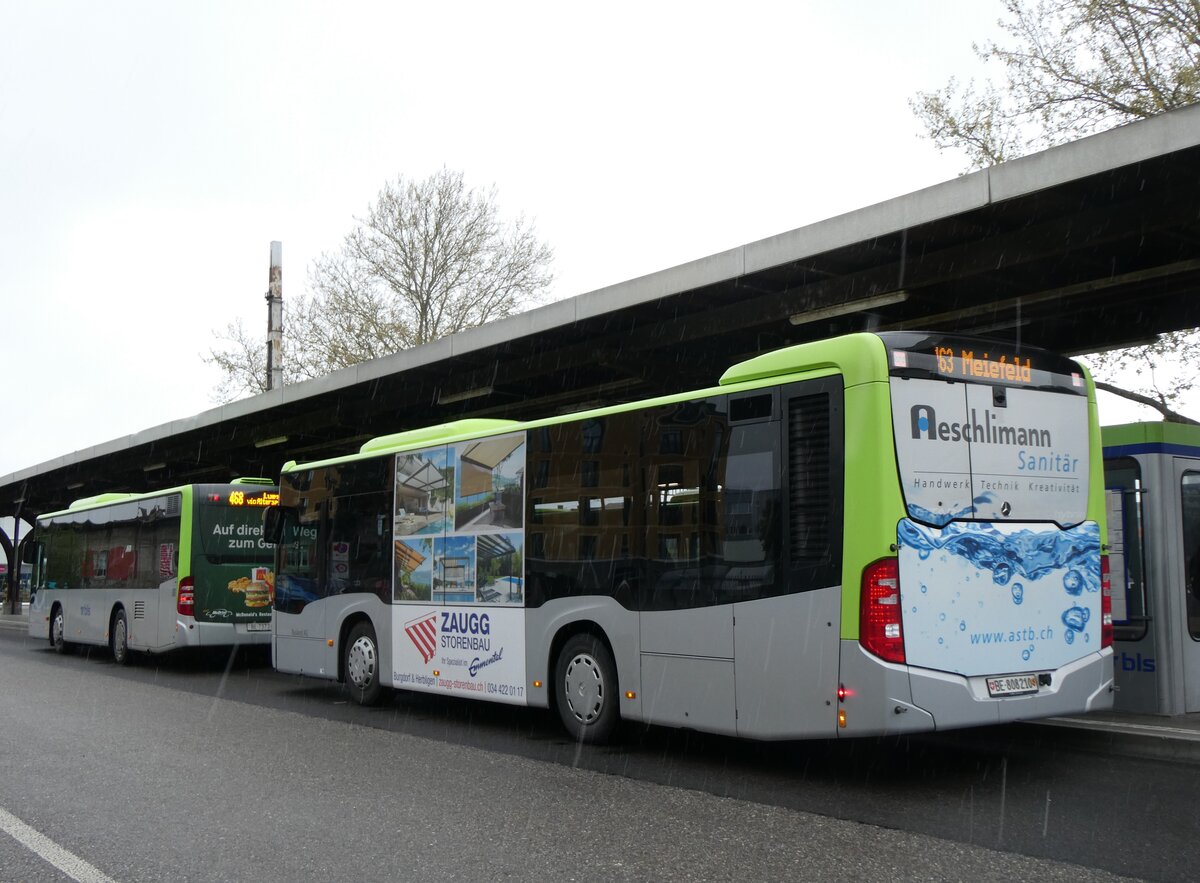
column 212, row 770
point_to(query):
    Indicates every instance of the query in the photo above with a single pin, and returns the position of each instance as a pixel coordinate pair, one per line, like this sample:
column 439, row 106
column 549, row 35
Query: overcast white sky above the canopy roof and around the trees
column 151, row 152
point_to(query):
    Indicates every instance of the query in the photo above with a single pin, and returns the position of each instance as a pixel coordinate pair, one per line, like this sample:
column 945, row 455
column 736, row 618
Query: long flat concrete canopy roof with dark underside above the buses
column 1083, row 248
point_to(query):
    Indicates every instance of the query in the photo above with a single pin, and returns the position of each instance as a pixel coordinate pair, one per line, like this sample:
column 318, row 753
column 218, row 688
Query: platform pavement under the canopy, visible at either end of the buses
column 1159, row 737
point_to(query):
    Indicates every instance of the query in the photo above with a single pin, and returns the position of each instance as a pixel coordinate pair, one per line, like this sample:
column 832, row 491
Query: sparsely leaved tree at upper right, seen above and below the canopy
column 1071, row 69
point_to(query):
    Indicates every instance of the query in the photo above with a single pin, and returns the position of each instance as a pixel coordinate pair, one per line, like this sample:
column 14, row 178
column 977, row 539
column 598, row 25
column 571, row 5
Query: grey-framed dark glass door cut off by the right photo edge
column 1184, row 573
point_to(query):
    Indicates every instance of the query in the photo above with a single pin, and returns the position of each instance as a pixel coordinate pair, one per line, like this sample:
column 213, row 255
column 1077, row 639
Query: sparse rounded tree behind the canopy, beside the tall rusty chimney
column 429, row 260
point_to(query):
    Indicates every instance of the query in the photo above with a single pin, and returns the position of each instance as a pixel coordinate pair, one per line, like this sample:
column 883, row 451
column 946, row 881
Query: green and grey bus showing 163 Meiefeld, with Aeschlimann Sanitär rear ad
column 880, row 533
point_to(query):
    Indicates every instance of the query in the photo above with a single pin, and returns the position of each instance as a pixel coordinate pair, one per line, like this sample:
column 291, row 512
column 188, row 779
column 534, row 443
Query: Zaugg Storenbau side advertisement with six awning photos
column 459, row 569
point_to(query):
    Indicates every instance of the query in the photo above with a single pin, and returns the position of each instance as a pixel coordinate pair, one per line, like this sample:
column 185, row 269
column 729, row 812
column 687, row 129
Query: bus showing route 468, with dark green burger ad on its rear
column 185, row 567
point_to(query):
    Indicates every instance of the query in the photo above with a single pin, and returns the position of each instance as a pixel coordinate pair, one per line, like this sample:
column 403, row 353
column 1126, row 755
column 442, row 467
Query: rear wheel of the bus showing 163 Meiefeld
column 586, row 689
